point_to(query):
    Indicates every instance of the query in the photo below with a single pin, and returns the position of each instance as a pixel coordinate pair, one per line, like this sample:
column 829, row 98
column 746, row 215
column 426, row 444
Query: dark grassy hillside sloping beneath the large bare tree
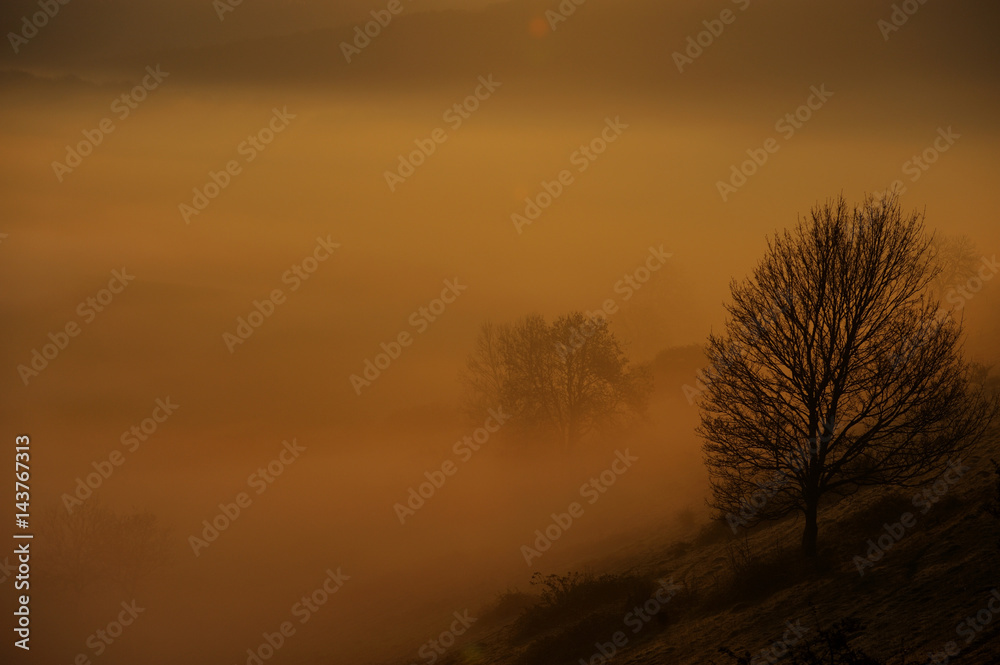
column 706, row 589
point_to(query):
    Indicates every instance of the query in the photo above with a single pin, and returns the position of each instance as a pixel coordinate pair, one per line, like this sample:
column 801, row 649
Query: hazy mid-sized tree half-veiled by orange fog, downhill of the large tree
column 564, row 379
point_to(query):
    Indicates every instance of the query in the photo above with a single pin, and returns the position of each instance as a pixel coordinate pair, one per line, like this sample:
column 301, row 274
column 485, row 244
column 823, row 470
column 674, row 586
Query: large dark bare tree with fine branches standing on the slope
column 836, row 370
